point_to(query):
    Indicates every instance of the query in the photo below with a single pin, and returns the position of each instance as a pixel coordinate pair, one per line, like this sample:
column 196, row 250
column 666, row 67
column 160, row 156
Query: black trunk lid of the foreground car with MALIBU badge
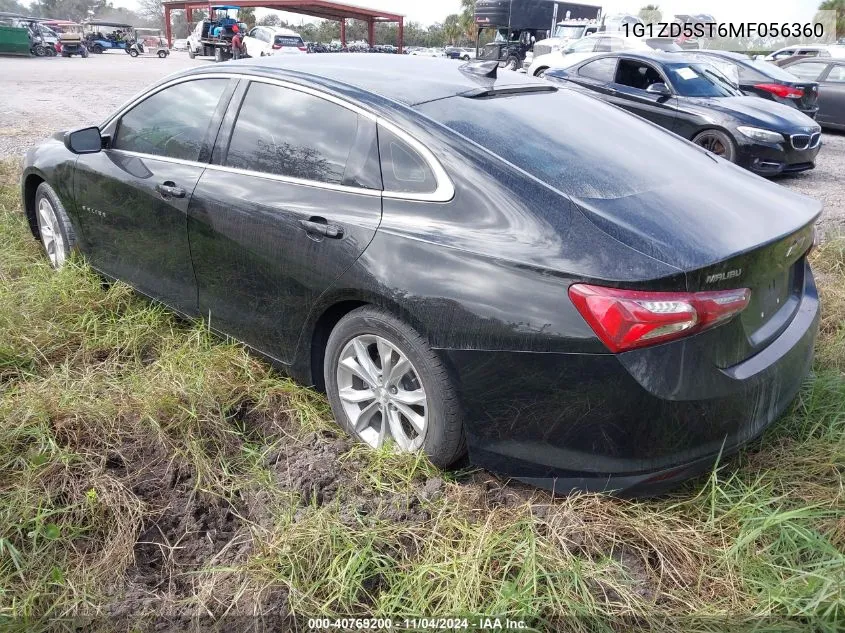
column 743, row 232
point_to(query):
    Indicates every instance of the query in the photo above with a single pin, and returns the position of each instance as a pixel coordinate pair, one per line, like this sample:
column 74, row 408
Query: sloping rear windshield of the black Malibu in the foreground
column 577, row 144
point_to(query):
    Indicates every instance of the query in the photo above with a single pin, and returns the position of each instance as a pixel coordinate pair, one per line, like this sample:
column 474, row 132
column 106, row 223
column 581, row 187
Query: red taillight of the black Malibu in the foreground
column 628, row 319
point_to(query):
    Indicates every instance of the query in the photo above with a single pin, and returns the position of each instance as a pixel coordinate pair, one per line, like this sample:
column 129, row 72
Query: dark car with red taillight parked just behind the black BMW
column 763, row 79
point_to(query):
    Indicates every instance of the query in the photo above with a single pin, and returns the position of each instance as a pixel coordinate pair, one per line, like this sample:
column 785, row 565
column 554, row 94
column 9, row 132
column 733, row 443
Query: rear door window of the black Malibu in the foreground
column 291, row 133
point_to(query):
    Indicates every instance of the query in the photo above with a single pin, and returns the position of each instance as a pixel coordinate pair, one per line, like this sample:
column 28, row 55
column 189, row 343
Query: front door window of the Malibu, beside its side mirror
column 173, row 122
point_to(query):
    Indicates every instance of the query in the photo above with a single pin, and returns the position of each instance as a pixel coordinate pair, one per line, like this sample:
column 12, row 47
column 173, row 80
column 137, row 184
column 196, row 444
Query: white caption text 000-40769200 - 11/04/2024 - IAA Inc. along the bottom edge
column 417, row 624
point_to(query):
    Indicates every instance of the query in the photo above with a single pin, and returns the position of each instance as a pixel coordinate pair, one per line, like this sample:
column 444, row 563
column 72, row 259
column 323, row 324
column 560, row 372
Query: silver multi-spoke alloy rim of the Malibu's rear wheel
column 381, row 393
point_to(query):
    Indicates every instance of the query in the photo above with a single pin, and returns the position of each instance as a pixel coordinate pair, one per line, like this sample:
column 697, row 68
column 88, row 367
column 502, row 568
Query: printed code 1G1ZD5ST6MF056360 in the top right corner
column 712, row 30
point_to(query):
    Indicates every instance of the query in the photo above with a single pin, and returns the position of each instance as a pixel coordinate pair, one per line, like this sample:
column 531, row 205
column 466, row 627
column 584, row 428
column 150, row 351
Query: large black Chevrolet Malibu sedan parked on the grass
column 577, row 297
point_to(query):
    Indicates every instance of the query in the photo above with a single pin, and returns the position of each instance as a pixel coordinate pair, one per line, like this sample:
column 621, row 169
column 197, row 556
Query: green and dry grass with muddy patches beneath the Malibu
column 148, row 468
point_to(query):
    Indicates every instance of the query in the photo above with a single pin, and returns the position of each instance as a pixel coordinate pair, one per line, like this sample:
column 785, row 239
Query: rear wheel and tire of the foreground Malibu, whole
column 384, row 382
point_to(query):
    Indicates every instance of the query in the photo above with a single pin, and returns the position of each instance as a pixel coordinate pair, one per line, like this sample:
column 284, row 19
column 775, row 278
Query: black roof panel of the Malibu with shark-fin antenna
column 406, row 79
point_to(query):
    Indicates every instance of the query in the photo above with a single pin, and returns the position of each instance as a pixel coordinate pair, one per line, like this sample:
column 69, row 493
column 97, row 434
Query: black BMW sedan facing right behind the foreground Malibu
column 697, row 102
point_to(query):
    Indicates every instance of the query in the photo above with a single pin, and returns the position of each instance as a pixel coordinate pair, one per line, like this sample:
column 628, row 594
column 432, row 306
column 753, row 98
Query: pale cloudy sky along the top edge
column 429, row 11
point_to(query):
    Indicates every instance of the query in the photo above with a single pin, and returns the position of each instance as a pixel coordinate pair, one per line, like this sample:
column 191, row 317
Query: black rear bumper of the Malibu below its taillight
column 635, row 423
